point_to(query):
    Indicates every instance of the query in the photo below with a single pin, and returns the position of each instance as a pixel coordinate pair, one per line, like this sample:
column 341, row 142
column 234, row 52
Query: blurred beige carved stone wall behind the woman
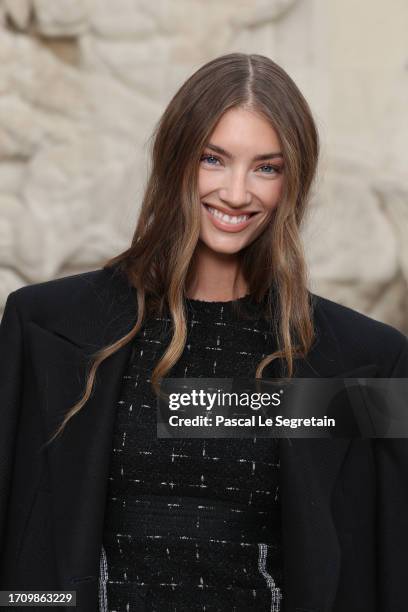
column 82, row 84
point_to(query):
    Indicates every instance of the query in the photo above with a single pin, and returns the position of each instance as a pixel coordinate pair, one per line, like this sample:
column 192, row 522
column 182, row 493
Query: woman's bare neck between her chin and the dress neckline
column 215, row 276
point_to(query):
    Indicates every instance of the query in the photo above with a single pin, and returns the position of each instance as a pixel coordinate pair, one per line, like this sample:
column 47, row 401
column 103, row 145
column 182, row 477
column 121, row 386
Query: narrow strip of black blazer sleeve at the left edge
column 11, row 385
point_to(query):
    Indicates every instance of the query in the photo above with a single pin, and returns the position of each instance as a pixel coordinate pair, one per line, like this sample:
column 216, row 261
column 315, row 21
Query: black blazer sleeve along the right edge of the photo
column 392, row 510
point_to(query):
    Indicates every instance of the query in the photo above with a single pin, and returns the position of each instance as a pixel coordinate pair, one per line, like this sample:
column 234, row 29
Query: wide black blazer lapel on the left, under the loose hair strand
column 79, row 458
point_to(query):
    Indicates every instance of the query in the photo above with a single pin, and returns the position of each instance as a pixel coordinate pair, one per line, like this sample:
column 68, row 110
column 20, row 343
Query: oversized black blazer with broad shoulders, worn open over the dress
column 344, row 502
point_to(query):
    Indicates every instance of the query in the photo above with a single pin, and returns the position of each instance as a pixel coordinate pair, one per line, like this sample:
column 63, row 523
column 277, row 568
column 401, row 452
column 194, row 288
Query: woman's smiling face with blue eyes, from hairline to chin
column 240, row 176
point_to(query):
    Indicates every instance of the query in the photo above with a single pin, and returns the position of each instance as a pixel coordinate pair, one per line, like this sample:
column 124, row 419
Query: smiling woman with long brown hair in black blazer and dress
column 213, row 285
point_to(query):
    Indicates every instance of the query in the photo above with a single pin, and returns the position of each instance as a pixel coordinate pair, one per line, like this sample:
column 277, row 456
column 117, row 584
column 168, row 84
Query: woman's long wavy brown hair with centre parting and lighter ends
column 159, row 261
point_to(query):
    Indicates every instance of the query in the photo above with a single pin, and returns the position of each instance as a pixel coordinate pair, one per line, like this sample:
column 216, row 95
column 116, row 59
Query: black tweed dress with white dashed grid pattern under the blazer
column 192, row 524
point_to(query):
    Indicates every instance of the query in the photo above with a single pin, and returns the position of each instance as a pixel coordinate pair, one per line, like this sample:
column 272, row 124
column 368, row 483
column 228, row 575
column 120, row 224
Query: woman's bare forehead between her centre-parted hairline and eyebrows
column 242, row 129
